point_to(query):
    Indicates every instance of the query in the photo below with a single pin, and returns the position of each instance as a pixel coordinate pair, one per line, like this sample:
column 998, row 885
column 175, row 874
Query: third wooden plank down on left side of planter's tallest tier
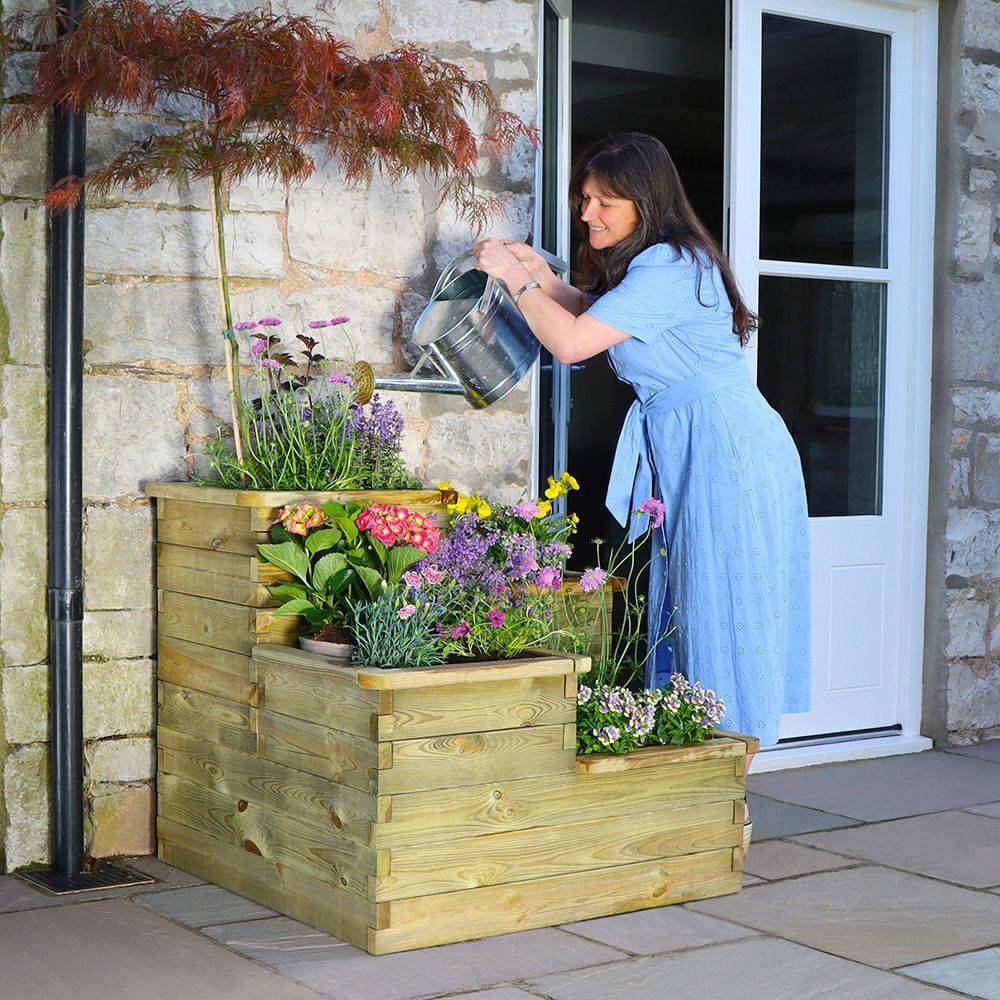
column 226, row 626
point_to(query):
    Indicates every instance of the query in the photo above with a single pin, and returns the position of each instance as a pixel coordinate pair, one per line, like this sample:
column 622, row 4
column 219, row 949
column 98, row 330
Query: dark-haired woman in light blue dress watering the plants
column 660, row 298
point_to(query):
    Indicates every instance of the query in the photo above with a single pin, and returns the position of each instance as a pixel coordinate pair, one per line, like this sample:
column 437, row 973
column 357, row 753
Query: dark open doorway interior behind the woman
column 639, row 66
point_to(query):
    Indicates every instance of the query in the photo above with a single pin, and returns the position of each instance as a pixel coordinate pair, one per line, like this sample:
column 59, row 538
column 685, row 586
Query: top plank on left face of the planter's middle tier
column 313, row 693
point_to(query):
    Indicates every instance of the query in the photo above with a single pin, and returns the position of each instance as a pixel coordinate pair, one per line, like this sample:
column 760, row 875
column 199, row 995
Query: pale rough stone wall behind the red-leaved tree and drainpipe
column 154, row 388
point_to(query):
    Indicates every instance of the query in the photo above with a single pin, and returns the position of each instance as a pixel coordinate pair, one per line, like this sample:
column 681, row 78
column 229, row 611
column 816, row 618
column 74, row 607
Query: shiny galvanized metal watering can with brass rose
column 472, row 332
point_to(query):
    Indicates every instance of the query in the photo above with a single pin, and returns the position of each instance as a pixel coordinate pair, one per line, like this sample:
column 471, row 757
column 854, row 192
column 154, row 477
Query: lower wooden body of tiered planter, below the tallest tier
column 400, row 809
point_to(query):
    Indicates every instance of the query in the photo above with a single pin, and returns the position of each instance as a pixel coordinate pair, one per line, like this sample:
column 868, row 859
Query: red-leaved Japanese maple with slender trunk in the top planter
column 274, row 92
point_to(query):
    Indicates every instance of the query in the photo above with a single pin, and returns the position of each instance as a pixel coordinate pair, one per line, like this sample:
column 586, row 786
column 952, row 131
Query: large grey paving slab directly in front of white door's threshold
column 887, row 788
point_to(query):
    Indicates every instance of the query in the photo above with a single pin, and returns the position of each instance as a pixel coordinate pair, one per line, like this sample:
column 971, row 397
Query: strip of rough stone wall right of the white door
column 969, row 306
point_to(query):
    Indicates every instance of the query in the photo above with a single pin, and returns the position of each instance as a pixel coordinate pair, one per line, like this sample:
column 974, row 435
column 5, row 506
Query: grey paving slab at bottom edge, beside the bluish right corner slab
column 755, row 969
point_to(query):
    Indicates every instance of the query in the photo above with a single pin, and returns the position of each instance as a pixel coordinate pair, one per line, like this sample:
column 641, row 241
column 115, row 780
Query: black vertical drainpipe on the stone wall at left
column 65, row 595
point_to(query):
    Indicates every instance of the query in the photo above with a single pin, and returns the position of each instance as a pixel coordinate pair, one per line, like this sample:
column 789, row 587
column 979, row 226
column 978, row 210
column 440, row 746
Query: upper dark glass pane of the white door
column 824, row 143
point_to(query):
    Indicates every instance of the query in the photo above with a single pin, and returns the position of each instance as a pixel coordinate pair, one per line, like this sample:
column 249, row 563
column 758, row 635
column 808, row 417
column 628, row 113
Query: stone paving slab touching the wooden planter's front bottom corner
column 340, row 970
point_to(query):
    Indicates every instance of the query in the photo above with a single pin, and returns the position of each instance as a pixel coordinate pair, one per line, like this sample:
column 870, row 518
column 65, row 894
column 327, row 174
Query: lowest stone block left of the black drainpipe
column 26, row 793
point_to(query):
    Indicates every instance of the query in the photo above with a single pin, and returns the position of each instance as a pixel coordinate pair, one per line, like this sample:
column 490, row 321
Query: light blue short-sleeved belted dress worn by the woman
column 702, row 438
